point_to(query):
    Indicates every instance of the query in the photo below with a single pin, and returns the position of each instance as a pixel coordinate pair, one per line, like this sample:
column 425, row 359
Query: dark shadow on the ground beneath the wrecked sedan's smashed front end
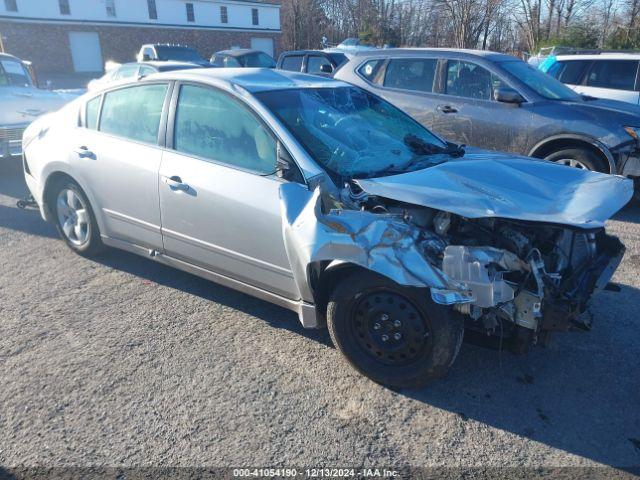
column 580, row 394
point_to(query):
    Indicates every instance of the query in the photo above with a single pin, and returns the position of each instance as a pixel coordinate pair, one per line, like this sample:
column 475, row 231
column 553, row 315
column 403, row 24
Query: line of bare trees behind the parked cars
column 513, row 26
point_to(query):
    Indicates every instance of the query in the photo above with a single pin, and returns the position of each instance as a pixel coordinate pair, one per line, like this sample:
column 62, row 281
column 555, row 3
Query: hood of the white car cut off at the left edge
column 21, row 105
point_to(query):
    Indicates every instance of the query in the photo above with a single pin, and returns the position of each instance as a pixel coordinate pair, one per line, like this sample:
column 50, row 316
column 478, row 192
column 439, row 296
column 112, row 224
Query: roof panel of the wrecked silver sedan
column 253, row 80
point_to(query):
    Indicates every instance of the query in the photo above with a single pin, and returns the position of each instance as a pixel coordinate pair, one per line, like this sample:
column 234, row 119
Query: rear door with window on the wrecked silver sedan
column 117, row 155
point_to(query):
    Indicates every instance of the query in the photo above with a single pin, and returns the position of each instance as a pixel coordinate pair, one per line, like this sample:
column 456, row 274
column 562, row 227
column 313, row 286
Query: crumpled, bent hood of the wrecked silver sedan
column 488, row 184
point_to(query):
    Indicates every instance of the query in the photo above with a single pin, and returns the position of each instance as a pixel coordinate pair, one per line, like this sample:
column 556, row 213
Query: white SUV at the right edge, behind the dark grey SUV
column 606, row 75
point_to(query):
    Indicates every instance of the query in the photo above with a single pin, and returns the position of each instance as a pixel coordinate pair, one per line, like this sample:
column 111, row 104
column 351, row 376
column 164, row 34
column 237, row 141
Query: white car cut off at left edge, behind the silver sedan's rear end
column 21, row 102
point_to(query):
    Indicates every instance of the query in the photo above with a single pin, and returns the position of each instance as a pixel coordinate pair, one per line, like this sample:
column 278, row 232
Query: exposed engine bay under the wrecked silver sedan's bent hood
column 537, row 277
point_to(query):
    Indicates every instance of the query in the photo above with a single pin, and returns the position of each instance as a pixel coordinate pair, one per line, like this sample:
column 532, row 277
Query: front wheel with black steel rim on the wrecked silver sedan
column 395, row 335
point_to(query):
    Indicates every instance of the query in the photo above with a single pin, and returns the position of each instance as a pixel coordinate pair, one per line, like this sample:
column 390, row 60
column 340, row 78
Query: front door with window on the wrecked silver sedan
column 219, row 196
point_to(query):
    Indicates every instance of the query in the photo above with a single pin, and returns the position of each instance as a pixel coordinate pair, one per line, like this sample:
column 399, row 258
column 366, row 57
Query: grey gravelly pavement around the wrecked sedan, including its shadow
column 119, row 361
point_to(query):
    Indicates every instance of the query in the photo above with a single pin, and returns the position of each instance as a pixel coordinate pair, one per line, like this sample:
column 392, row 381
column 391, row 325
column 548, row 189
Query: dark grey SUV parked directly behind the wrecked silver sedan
column 497, row 102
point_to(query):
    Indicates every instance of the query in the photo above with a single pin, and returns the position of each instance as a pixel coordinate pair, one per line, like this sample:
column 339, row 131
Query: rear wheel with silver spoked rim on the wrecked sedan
column 75, row 220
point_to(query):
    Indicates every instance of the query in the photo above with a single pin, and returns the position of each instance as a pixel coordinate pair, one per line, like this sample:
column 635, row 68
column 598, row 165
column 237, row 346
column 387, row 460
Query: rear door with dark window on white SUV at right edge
column 612, row 79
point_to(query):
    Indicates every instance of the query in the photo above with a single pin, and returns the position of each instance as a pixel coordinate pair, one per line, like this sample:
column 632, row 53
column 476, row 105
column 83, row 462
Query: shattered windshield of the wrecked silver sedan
column 354, row 134
